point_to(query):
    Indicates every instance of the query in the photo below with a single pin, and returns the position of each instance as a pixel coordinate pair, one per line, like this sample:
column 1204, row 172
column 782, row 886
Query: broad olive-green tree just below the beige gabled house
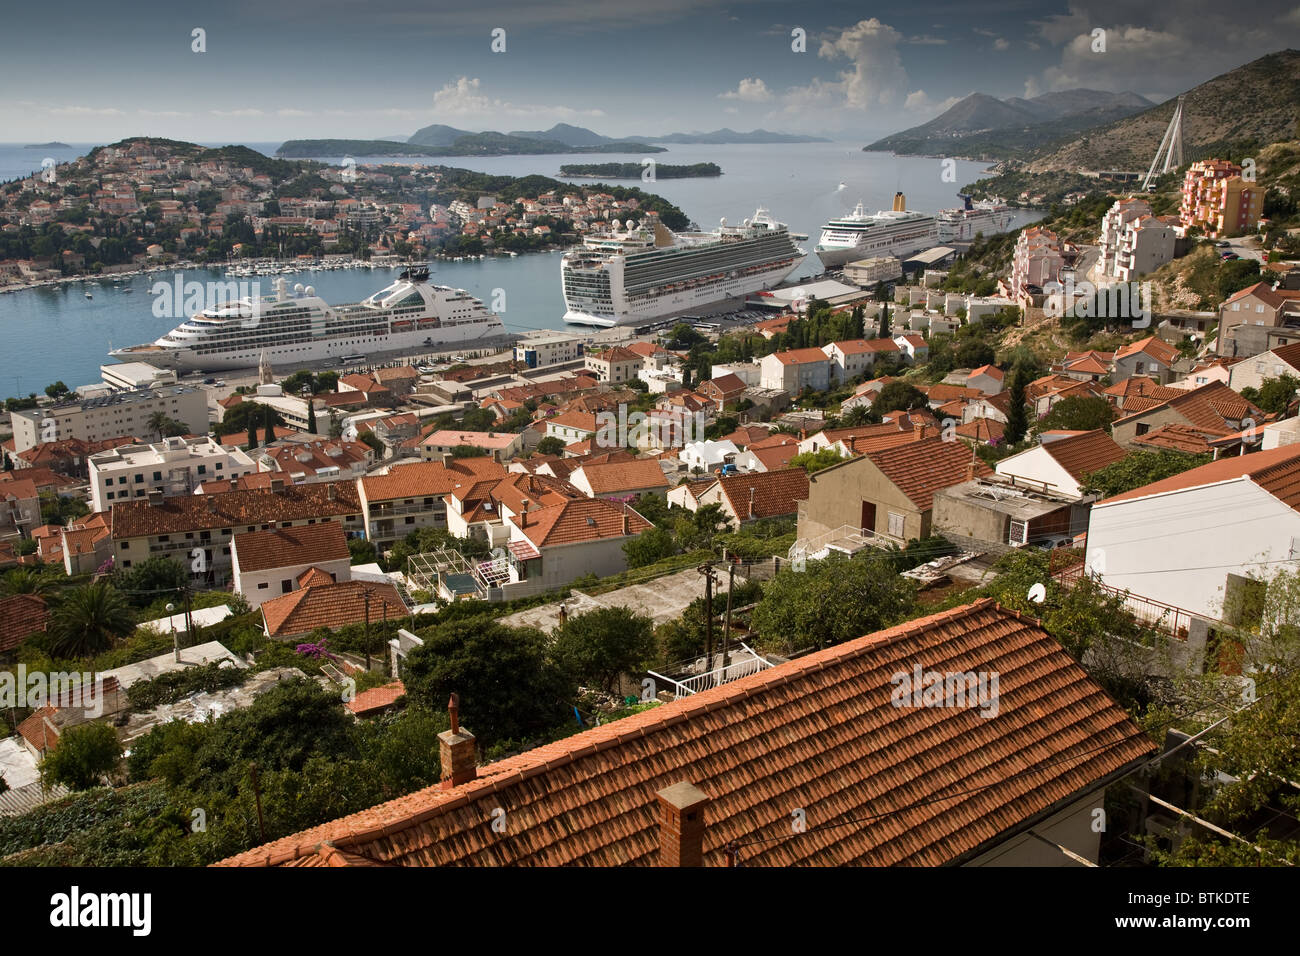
column 833, row 602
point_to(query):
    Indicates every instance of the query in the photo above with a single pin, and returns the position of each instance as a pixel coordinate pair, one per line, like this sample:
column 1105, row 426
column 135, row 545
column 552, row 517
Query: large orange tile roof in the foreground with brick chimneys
column 882, row 785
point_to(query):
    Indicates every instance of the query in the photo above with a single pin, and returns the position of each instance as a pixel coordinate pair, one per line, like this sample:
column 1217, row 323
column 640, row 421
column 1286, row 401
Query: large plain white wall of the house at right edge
column 1180, row 548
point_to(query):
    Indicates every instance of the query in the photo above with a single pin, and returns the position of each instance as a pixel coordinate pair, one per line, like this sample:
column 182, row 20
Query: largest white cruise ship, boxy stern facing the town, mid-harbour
column 651, row 272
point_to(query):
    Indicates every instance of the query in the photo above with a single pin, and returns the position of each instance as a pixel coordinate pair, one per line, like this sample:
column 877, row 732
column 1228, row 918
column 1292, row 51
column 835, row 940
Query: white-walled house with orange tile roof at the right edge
column 1224, row 529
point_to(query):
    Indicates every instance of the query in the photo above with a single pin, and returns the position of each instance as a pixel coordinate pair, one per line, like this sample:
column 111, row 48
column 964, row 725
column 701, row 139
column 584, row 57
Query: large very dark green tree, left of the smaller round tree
column 509, row 687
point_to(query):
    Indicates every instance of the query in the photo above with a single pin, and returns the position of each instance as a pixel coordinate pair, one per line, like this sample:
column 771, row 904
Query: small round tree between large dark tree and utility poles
column 599, row 647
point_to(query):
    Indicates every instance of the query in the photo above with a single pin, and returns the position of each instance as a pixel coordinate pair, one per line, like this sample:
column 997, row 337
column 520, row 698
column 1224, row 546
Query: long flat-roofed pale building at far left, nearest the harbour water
column 111, row 416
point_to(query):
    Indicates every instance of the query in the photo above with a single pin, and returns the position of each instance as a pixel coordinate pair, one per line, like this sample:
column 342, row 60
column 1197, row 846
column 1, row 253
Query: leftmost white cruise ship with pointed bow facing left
column 298, row 326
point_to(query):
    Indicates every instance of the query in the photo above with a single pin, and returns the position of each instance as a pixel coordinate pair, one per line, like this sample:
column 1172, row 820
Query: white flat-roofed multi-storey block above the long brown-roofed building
column 172, row 466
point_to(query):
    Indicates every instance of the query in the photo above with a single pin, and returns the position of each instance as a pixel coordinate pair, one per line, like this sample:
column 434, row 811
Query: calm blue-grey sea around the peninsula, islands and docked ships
column 60, row 334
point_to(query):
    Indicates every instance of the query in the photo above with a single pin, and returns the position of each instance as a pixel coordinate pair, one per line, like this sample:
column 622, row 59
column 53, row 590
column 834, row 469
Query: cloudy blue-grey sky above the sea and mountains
column 92, row 72
